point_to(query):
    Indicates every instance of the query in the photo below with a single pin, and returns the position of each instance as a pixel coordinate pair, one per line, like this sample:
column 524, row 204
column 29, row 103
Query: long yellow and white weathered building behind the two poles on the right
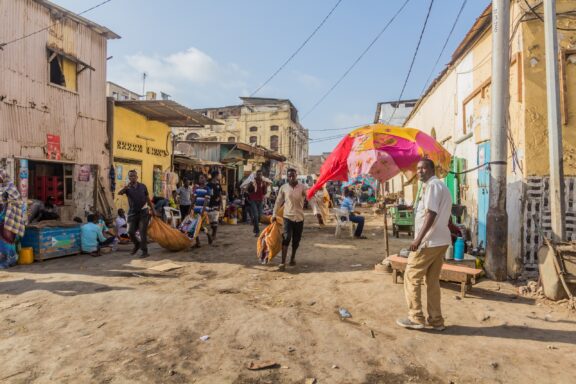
column 456, row 110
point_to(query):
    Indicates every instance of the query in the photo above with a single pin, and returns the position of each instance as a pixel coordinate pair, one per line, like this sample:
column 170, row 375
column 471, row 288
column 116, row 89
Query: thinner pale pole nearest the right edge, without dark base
column 557, row 204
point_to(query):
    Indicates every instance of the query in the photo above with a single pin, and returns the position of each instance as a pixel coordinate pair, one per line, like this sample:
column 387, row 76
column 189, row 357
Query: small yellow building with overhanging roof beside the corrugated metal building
column 142, row 140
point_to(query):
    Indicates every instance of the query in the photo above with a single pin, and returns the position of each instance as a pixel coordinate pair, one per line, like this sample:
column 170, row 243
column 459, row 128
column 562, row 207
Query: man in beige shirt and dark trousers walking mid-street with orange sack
column 292, row 196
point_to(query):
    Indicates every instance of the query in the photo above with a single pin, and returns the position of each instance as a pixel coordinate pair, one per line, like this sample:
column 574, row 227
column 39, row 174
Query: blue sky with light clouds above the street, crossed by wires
column 209, row 53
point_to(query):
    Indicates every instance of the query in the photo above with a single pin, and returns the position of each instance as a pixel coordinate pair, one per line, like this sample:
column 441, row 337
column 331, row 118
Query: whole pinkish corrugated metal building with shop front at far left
column 53, row 103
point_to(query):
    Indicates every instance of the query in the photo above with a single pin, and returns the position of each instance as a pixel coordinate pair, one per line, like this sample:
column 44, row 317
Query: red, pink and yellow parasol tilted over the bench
column 381, row 151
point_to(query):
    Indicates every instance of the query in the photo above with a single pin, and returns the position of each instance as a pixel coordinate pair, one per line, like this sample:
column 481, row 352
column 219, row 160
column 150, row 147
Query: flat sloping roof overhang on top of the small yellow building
column 168, row 112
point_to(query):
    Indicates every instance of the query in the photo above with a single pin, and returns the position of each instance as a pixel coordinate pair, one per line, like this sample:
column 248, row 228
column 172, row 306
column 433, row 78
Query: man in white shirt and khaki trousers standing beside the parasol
column 433, row 210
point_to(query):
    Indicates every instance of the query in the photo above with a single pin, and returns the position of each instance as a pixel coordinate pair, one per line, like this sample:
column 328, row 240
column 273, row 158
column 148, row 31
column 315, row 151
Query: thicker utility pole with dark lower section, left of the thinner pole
column 497, row 220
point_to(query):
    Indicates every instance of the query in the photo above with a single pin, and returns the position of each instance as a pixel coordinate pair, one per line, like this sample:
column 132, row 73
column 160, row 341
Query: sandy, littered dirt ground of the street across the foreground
column 111, row 320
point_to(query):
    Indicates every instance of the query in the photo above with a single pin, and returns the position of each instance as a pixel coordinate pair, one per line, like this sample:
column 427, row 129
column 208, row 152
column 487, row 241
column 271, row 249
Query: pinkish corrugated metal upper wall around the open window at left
column 30, row 107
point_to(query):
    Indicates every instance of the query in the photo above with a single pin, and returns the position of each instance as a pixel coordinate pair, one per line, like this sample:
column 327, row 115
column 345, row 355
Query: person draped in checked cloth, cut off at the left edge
column 12, row 220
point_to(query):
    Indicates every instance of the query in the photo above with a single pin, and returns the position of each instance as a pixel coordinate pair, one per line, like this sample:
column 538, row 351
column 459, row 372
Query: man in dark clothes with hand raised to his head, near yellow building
column 141, row 208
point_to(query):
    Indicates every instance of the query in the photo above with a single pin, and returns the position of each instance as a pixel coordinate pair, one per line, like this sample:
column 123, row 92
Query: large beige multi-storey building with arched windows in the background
column 270, row 123
